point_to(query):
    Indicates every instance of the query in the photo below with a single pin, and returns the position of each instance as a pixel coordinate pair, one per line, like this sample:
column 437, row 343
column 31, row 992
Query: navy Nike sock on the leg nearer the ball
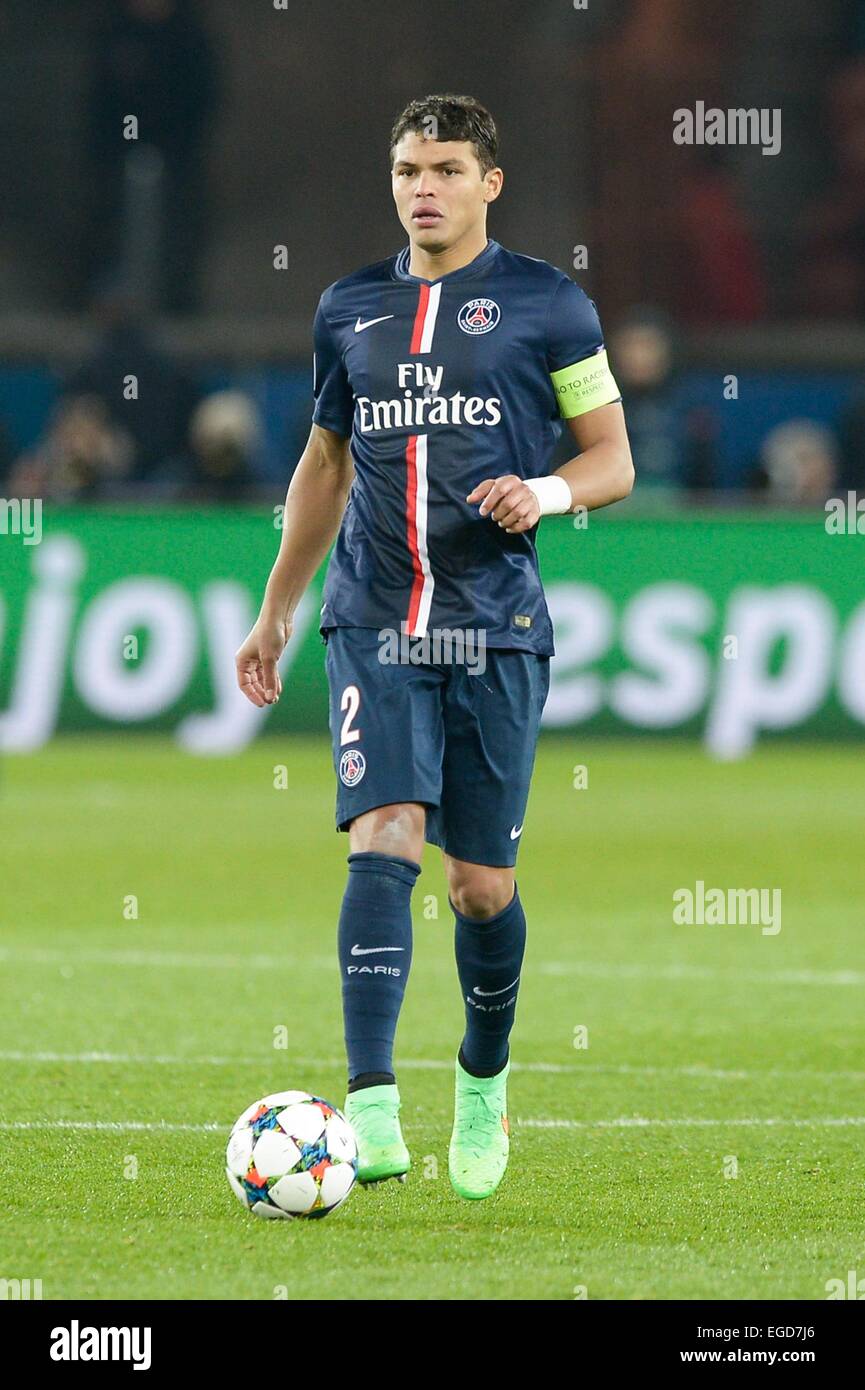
column 375, row 958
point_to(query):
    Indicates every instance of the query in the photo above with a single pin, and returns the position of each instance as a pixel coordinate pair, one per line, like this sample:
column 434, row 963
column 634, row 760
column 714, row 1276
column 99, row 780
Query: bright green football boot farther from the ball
column 478, row 1157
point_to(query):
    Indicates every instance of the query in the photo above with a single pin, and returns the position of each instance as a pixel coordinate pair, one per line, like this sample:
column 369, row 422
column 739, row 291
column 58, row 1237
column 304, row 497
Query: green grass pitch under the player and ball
column 130, row 1046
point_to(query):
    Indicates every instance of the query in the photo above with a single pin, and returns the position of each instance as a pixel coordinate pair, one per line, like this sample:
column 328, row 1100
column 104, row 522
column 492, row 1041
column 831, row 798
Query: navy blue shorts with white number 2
column 462, row 744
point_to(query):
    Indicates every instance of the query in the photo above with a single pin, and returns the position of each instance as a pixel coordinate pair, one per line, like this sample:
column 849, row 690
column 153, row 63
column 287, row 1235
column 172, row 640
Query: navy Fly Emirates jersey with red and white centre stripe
column 443, row 384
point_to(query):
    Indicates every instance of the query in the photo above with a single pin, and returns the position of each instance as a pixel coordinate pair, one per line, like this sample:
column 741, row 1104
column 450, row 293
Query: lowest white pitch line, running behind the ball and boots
column 622, row 1122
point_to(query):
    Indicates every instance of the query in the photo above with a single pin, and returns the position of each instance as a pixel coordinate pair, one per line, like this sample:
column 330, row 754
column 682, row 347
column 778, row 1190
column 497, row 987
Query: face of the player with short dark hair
column 440, row 191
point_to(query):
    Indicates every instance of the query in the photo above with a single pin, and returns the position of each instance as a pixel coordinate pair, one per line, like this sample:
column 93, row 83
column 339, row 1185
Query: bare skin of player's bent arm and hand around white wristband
column 600, row 475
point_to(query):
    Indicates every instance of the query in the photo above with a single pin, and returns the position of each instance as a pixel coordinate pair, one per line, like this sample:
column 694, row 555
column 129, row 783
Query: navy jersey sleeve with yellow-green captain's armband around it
column 576, row 358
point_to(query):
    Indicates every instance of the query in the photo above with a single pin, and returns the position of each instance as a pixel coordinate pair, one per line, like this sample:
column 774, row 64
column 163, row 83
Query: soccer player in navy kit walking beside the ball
column 442, row 382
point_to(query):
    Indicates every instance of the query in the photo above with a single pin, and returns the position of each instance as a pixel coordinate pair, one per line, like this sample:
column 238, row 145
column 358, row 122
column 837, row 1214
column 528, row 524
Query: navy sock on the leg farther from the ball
column 489, row 961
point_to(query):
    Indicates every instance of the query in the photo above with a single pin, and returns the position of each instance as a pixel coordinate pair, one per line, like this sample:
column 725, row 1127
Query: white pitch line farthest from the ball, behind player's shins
column 261, row 961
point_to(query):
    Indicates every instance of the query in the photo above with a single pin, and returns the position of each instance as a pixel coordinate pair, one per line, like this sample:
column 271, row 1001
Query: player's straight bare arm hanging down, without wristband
column 315, row 505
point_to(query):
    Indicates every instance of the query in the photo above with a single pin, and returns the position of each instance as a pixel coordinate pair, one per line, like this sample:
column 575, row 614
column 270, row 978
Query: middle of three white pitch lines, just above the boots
column 430, row 1065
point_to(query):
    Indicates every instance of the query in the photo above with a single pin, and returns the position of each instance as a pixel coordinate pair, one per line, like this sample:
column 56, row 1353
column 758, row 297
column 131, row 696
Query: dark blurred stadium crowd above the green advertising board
column 697, row 256
